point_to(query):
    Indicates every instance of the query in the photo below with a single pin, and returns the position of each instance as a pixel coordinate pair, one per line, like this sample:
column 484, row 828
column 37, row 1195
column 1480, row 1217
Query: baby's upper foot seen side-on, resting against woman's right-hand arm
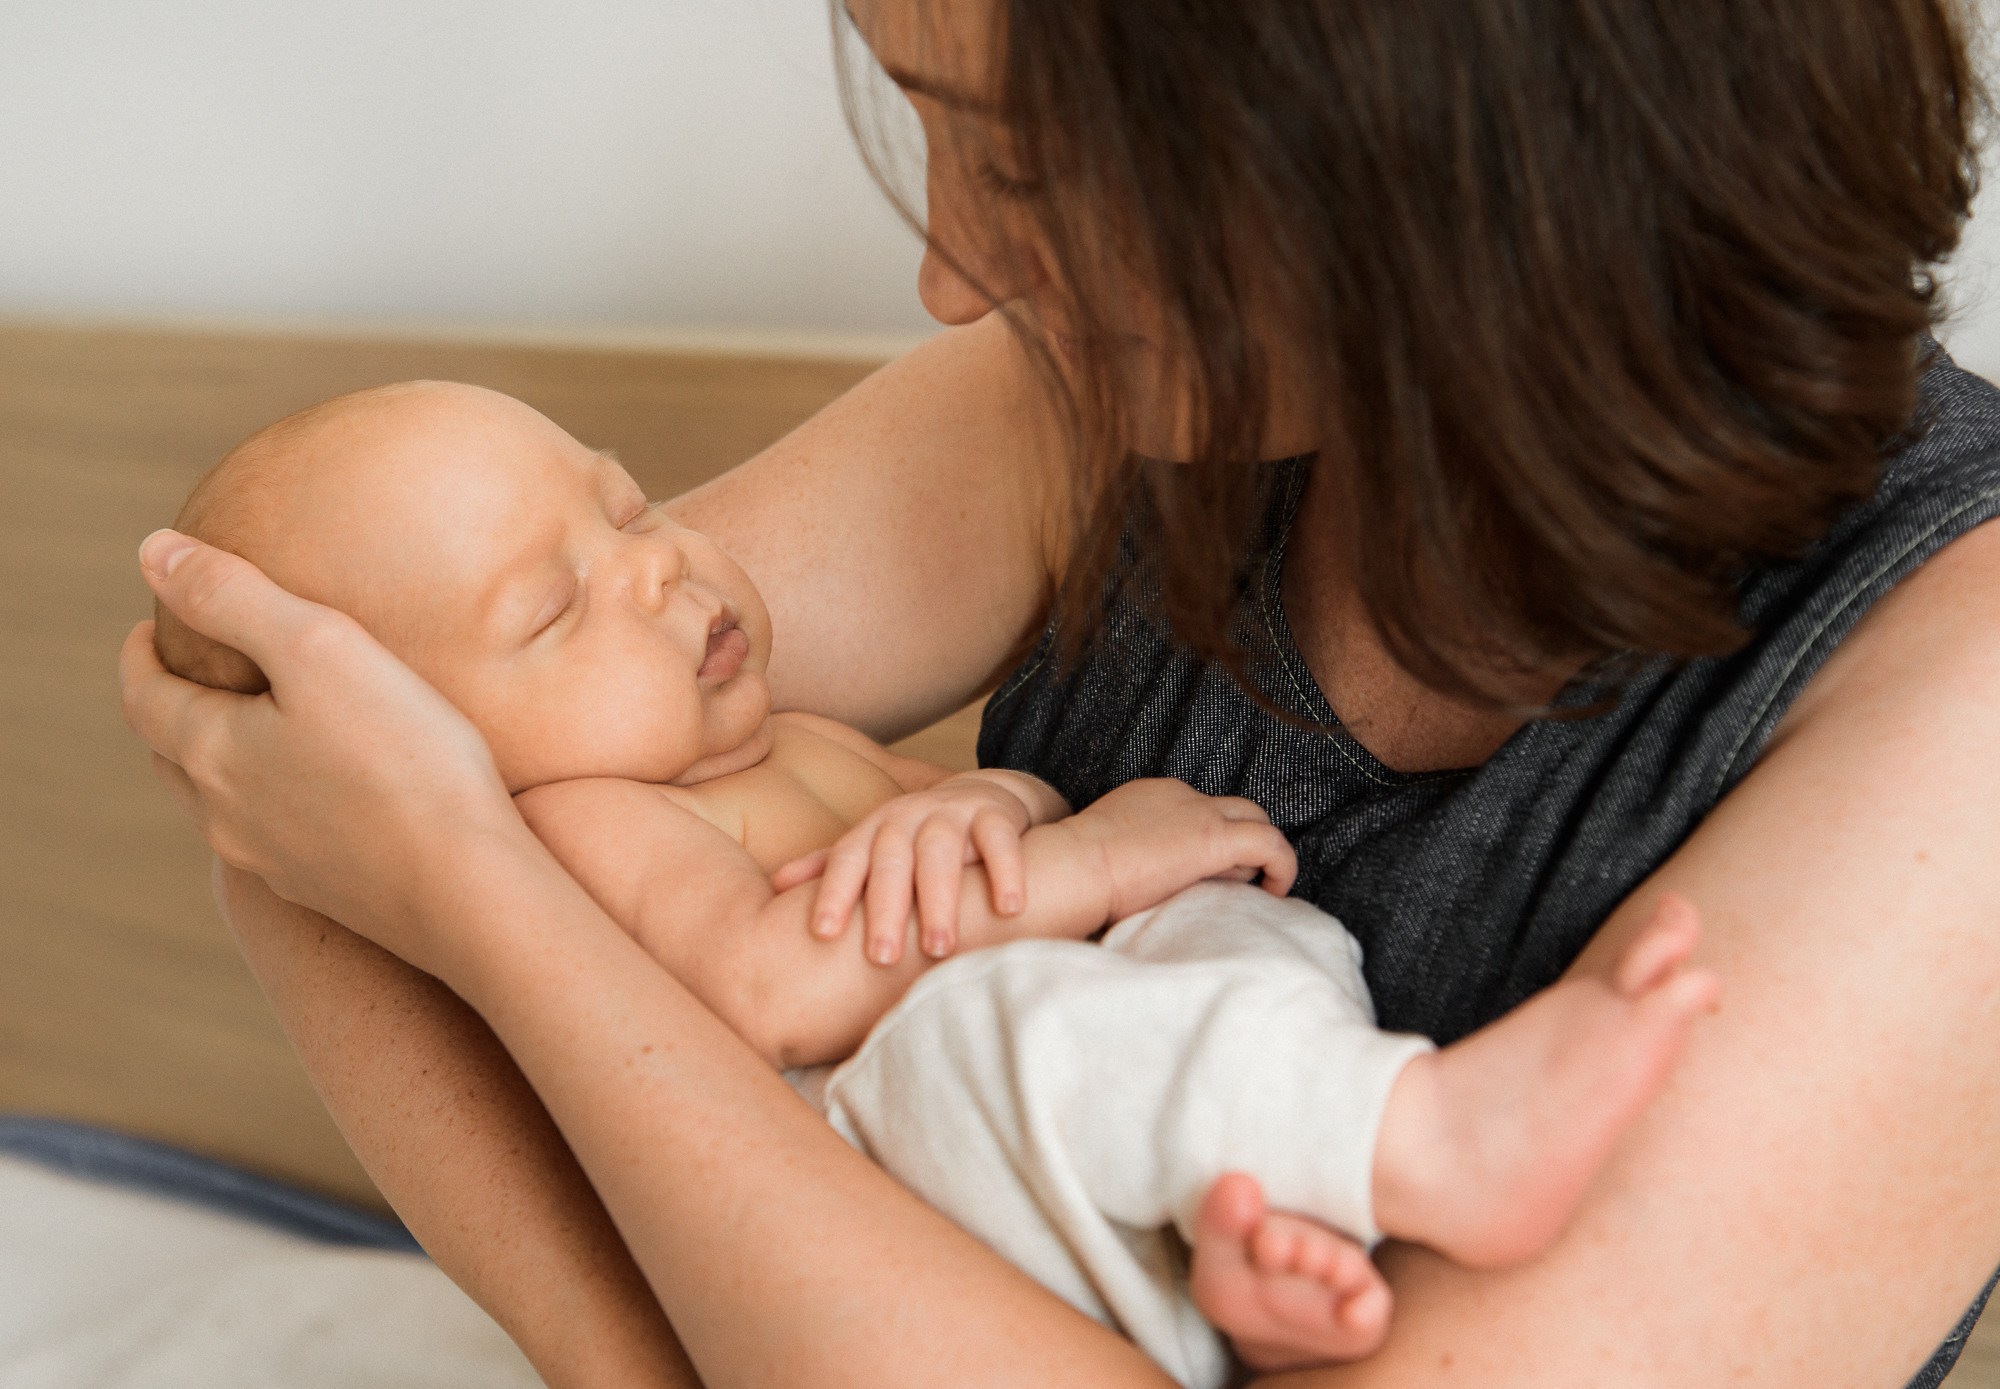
column 1487, row 1148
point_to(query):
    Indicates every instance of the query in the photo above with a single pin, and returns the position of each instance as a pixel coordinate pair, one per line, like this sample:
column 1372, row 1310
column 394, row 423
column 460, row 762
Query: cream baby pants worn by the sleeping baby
column 1071, row 1104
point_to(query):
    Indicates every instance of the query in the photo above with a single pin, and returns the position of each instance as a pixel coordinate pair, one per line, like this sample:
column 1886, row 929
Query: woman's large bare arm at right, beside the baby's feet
column 1817, row 1196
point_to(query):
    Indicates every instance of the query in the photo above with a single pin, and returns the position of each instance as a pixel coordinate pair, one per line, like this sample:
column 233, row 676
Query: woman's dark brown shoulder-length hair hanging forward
column 1603, row 303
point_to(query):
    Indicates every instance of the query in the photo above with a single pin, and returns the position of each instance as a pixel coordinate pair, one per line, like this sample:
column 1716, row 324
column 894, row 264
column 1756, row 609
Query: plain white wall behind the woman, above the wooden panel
column 593, row 165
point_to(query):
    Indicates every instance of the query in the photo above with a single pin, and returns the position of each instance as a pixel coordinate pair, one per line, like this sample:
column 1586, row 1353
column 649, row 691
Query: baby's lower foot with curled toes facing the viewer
column 1285, row 1290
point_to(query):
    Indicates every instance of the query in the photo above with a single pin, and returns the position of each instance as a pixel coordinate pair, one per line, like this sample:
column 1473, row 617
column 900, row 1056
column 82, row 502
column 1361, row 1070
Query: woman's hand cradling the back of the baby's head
column 347, row 786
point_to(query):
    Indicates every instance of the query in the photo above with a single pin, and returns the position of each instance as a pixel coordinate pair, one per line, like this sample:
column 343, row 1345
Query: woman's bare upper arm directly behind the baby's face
column 905, row 539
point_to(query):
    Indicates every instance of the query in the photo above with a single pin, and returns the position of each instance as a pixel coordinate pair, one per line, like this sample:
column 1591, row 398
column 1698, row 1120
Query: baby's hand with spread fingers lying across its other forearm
column 921, row 844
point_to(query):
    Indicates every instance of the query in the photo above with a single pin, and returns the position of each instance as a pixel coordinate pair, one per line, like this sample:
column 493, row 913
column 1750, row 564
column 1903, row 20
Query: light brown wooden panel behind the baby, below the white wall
column 121, row 998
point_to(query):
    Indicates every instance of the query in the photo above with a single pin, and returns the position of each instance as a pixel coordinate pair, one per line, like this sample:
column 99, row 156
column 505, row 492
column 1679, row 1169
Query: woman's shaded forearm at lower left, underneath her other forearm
column 459, row 1144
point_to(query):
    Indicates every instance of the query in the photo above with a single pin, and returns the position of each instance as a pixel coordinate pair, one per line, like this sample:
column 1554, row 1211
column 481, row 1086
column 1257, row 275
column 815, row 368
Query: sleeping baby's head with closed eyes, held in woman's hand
column 515, row 569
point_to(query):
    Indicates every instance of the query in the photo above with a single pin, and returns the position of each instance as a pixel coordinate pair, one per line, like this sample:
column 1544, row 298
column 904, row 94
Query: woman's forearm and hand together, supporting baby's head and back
column 779, row 1254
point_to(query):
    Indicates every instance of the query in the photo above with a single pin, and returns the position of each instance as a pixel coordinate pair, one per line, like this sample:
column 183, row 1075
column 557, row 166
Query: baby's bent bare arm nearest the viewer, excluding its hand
column 703, row 908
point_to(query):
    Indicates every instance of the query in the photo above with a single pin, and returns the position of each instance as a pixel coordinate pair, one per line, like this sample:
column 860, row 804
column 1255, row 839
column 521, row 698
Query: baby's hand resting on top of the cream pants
column 1161, row 836
